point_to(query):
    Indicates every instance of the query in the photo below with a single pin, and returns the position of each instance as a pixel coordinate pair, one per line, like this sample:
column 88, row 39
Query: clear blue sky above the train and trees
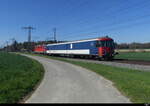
column 125, row 21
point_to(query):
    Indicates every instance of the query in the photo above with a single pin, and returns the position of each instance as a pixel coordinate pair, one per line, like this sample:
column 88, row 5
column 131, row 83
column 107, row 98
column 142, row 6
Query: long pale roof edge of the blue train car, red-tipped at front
column 102, row 38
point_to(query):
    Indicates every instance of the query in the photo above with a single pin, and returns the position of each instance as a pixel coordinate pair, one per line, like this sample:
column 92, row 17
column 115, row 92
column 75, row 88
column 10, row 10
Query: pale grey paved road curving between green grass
column 67, row 83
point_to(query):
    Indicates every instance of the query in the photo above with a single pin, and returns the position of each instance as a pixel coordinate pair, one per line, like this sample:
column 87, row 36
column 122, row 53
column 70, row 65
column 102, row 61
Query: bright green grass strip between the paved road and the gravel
column 134, row 84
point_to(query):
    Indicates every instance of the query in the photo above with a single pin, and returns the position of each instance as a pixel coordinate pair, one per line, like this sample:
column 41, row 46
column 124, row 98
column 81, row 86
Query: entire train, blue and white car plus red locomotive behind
column 101, row 48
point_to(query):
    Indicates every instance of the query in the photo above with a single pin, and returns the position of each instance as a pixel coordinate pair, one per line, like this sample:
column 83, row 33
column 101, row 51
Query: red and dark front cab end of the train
column 106, row 48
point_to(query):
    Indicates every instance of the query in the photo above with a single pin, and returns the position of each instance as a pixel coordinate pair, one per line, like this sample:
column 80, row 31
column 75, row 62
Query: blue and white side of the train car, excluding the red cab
column 83, row 47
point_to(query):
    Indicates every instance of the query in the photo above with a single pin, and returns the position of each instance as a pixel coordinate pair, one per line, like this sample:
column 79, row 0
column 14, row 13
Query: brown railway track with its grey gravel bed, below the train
column 130, row 64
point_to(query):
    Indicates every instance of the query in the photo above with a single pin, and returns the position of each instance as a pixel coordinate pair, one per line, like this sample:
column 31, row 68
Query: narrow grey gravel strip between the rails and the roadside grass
column 116, row 64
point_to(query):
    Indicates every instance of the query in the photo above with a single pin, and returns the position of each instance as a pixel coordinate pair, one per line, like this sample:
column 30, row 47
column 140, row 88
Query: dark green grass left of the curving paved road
column 18, row 76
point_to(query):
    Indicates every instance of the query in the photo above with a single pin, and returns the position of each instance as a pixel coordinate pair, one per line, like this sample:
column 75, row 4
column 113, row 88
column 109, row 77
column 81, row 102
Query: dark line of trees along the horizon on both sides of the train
column 26, row 46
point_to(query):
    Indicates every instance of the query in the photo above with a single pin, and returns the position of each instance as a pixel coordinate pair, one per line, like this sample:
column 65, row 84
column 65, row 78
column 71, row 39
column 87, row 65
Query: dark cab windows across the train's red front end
column 108, row 43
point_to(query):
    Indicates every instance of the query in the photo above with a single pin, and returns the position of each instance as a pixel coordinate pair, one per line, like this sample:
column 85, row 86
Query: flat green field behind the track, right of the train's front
column 134, row 56
